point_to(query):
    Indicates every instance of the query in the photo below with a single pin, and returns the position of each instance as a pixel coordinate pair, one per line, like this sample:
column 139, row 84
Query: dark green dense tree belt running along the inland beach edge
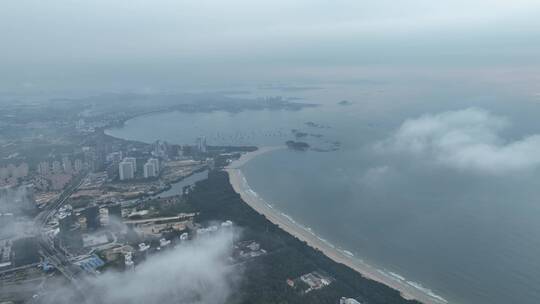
column 264, row 278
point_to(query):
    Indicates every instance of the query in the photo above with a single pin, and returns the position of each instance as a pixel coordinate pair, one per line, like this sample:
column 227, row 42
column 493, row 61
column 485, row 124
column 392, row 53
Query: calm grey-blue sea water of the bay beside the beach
column 468, row 237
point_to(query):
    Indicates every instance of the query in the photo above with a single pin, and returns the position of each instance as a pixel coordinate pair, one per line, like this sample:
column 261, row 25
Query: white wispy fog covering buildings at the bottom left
column 197, row 272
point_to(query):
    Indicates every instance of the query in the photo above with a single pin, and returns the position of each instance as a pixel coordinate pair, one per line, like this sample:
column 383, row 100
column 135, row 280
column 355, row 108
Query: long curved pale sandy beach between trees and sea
column 408, row 289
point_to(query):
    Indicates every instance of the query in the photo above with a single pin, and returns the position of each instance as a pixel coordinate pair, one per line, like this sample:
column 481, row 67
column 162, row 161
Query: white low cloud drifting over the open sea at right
column 466, row 140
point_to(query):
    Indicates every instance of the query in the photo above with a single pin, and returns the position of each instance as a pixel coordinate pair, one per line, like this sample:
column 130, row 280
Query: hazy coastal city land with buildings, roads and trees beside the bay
column 76, row 203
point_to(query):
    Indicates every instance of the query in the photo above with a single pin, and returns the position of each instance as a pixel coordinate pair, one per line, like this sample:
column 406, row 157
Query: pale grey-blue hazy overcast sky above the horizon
column 121, row 43
